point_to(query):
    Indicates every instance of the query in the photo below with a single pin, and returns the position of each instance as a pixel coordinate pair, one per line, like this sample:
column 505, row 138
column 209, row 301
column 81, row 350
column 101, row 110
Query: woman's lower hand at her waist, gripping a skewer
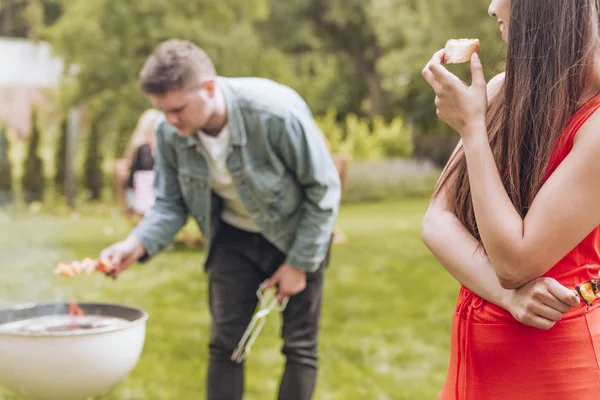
column 541, row 303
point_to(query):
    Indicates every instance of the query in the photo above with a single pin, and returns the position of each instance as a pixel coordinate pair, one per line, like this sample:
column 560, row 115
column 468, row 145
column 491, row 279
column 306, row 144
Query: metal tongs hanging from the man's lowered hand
column 267, row 303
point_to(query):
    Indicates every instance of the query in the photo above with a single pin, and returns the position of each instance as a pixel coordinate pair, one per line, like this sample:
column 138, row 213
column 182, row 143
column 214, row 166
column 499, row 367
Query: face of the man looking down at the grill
column 188, row 110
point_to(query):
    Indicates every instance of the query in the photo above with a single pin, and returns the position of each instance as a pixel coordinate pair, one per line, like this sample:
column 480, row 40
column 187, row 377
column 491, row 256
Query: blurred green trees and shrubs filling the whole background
column 356, row 62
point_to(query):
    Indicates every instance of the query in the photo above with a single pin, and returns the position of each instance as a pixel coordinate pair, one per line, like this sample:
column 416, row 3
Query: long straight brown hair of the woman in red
column 551, row 53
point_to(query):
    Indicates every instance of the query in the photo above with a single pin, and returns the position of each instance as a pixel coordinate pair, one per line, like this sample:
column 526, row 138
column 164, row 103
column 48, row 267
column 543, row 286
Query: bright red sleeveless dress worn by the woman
column 495, row 357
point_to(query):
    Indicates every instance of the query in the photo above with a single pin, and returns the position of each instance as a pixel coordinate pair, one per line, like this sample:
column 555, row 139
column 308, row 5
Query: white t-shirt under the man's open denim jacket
column 234, row 212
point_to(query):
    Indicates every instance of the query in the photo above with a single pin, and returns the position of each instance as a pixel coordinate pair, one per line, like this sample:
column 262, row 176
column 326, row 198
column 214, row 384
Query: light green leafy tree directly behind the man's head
column 108, row 49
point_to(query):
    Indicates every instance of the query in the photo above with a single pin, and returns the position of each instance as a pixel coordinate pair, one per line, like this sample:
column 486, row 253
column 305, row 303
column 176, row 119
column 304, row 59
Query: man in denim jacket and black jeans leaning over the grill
column 245, row 159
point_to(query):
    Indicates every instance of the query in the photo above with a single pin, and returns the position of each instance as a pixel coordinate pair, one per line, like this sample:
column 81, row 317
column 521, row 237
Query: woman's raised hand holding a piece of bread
column 459, row 105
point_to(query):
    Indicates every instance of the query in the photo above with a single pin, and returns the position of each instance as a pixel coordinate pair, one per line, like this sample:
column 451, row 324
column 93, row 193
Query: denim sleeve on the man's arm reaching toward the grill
column 169, row 212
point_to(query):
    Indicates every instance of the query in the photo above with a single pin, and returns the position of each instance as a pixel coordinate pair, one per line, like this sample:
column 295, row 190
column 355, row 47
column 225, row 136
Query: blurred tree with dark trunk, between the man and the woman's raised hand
column 345, row 29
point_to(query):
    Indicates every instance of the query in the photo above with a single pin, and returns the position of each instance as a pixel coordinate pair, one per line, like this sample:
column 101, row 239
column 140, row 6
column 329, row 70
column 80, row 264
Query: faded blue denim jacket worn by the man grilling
column 280, row 165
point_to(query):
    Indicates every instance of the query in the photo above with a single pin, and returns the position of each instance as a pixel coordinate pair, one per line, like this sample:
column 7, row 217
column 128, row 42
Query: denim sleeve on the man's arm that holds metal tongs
column 303, row 150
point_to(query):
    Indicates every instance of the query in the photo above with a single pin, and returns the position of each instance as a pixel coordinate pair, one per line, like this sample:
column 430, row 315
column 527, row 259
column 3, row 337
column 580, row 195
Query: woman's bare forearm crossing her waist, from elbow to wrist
column 458, row 252
